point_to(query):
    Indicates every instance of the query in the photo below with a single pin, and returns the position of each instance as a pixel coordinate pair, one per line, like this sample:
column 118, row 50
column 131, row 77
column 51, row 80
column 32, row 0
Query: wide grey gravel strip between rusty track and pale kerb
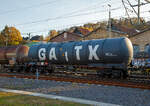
column 100, row 93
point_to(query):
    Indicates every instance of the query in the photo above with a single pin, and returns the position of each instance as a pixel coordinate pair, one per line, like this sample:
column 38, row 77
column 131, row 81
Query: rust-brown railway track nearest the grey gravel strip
column 130, row 82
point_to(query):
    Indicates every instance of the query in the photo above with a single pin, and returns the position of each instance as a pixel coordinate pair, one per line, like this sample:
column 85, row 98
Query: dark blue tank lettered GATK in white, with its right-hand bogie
column 113, row 55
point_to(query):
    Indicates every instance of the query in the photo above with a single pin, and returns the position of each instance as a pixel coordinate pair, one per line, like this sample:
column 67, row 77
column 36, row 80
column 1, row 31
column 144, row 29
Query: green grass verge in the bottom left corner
column 12, row 99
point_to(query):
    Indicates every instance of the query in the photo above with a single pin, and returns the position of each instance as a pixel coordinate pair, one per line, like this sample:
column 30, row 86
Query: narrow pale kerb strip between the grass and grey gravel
column 82, row 101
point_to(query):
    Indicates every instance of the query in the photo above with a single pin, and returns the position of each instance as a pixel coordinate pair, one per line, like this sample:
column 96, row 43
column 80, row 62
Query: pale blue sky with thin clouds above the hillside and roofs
column 39, row 16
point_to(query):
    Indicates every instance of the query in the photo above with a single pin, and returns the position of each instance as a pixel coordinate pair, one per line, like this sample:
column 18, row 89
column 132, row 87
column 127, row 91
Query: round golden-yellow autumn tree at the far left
column 10, row 36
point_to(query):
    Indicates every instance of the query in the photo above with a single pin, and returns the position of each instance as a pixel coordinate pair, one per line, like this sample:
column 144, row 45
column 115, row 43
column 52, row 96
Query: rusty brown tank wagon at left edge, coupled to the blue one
column 13, row 57
